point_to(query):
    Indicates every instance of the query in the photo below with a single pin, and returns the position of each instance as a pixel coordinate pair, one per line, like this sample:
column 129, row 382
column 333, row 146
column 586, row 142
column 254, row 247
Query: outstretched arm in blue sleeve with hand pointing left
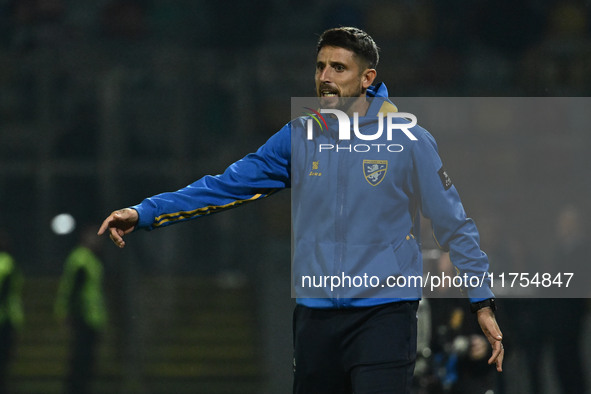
column 256, row 176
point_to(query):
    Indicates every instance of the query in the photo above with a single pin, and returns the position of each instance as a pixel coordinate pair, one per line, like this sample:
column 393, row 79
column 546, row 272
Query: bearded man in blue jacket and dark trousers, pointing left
column 347, row 343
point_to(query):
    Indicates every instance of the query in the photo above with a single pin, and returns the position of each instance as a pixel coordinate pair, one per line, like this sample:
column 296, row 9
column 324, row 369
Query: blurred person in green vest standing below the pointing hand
column 80, row 300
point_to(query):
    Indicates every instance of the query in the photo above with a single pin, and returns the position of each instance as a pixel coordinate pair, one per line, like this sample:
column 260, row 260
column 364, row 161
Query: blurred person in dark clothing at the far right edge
column 563, row 331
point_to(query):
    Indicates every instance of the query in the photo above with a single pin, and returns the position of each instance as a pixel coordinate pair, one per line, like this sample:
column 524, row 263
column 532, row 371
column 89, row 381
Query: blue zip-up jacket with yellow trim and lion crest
column 354, row 212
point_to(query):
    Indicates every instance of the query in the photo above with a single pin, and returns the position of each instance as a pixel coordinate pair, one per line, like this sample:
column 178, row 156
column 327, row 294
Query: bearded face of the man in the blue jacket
column 339, row 73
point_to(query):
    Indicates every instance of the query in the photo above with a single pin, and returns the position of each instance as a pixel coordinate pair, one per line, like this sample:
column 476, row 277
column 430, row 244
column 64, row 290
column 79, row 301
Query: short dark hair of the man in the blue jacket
column 353, row 39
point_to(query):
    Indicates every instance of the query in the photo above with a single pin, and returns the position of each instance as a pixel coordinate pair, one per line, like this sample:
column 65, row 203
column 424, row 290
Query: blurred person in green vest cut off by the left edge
column 11, row 310
